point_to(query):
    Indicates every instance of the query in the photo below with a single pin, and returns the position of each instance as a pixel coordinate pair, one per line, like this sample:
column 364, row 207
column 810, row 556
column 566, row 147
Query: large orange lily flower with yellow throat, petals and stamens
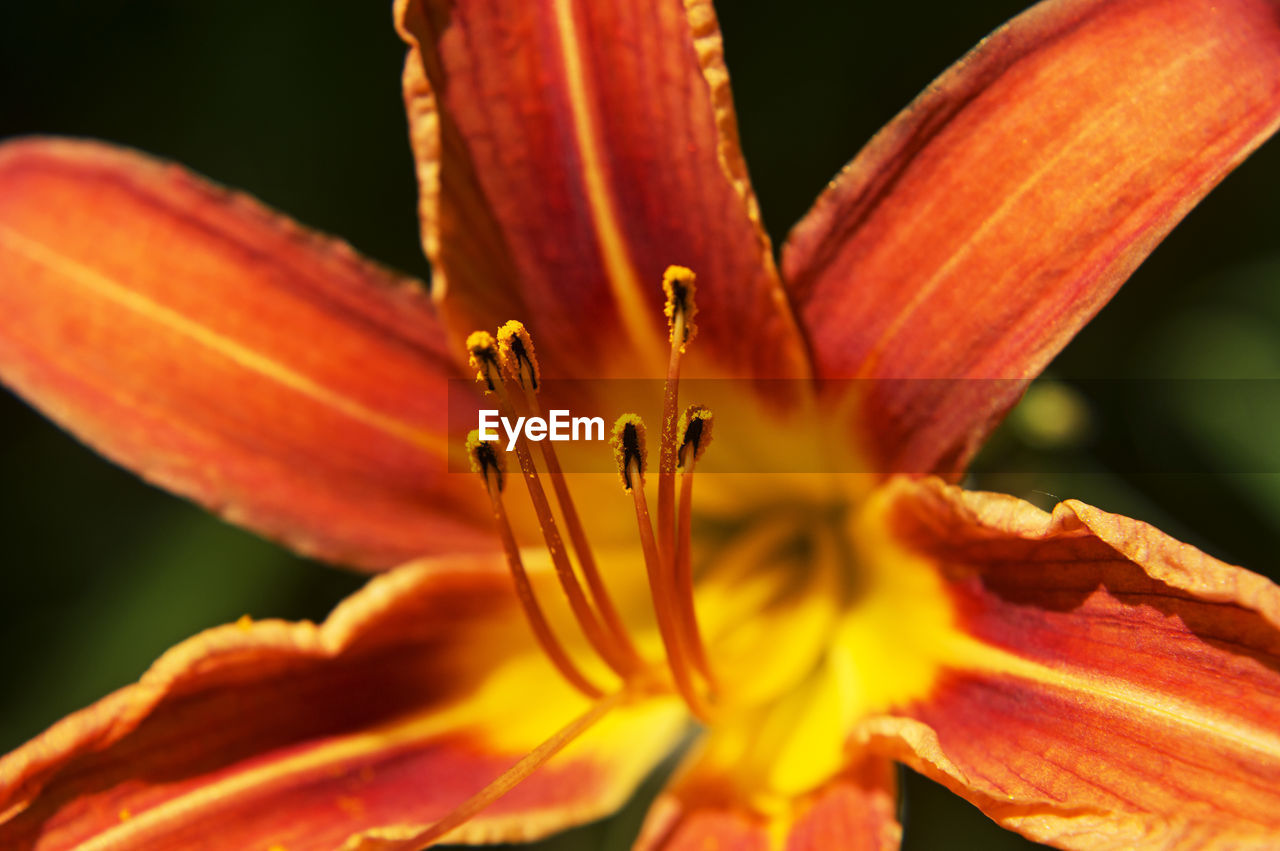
column 1081, row 678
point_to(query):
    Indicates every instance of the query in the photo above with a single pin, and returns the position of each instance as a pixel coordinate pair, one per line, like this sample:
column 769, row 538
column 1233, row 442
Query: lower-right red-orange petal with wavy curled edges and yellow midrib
column 1114, row 688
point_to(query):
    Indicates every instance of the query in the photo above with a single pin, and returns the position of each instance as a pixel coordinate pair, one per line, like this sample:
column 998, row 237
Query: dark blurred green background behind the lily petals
column 299, row 103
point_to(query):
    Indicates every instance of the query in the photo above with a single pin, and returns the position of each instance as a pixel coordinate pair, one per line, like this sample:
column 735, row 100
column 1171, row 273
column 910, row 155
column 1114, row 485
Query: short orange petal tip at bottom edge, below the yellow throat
column 853, row 812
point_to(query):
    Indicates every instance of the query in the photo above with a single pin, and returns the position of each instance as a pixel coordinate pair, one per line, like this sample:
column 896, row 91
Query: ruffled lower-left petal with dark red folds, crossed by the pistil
column 413, row 697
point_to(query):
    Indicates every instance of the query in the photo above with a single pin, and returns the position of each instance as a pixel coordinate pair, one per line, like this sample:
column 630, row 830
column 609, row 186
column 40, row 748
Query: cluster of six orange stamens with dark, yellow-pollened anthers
column 508, row 368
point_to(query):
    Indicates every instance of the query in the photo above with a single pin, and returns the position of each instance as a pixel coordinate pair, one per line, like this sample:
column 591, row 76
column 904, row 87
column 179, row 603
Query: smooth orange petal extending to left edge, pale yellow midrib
column 228, row 355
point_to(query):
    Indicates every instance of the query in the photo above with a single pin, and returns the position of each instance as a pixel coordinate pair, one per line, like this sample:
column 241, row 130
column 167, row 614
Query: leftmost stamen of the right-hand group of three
column 629, row 451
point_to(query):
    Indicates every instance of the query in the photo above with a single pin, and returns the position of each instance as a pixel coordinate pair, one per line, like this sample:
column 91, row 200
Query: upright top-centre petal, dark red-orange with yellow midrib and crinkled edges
column 568, row 153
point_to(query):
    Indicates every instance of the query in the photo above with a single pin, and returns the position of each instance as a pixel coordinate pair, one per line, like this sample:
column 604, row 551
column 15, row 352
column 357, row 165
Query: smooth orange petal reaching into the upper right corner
column 988, row 223
